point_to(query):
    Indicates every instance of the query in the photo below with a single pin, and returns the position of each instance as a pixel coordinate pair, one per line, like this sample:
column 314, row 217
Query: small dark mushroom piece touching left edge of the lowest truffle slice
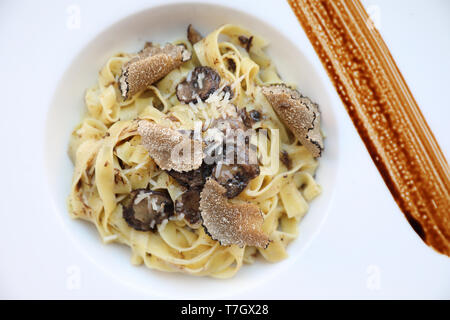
column 188, row 206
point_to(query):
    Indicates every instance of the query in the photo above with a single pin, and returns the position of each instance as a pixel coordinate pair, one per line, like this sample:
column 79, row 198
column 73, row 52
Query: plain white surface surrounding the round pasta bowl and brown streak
column 358, row 253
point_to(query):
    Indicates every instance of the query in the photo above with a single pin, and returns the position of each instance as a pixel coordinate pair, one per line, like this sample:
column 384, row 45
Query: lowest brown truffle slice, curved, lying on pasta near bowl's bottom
column 231, row 223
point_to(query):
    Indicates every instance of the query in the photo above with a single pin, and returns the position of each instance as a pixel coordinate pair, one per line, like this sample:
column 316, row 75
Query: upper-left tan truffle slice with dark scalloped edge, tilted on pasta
column 150, row 65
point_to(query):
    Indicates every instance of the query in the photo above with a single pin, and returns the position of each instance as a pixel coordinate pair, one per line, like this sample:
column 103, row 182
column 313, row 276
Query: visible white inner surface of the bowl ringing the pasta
column 162, row 24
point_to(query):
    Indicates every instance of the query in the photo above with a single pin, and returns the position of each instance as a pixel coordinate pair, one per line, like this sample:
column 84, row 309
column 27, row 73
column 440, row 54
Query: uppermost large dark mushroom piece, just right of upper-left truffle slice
column 200, row 82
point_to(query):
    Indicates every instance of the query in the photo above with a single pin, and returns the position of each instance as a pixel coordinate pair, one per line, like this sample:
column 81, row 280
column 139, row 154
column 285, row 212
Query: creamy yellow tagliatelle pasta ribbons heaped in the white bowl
column 111, row 161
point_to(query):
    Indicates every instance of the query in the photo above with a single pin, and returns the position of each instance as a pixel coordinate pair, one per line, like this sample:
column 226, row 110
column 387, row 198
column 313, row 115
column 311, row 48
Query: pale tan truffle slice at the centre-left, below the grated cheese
column 170, row 149
